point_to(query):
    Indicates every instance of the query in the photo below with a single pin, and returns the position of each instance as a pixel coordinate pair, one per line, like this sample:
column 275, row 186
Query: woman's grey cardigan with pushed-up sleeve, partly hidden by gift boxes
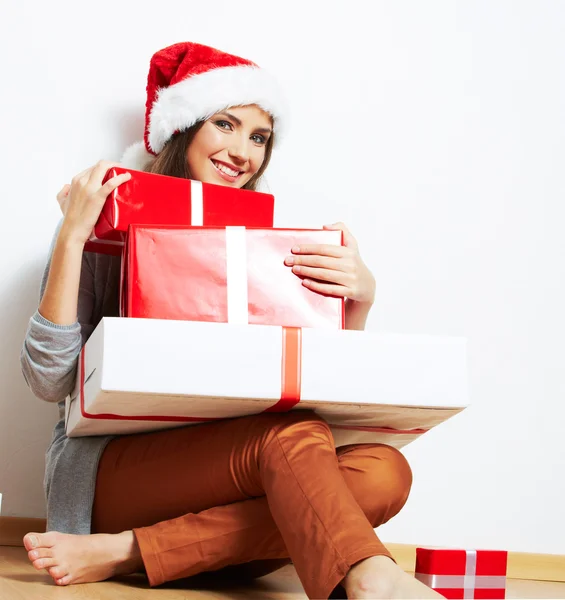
column 49, row 361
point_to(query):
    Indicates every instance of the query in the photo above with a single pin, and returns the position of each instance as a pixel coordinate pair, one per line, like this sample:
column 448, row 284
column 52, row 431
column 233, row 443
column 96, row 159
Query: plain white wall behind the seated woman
column 433, row 129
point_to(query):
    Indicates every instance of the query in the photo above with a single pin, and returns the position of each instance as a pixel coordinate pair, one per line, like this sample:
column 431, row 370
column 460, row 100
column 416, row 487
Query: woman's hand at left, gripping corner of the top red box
column 82, row 201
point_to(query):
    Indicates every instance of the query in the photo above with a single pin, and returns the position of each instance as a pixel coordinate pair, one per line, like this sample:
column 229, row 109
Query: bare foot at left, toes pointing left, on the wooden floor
column 83, row 558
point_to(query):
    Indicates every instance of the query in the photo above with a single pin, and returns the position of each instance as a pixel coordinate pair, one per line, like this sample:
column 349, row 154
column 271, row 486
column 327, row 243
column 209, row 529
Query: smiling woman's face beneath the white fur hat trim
column 230, row 147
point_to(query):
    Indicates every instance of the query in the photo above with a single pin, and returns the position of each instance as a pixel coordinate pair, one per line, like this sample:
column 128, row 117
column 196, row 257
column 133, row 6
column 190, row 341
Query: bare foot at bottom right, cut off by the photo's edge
column 379, row 577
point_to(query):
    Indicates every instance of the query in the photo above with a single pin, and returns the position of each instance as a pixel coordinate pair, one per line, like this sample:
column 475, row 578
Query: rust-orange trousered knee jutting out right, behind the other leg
column 381, row 487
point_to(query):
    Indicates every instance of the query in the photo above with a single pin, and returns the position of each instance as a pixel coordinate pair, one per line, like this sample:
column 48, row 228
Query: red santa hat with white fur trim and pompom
column 189, row 82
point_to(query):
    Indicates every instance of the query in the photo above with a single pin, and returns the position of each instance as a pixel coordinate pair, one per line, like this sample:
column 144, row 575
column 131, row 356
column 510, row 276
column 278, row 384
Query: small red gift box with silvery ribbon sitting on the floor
column 463, row 573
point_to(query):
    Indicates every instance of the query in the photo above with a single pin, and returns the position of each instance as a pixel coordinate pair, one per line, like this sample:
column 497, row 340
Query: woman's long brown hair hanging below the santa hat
column 172, row 159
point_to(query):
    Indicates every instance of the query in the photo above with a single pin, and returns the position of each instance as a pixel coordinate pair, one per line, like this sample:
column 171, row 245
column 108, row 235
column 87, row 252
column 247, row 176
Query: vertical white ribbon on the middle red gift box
column 236, row 259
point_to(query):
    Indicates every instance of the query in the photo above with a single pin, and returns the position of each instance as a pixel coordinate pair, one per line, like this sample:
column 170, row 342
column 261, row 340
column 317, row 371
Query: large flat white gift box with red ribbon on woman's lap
column 146, row 374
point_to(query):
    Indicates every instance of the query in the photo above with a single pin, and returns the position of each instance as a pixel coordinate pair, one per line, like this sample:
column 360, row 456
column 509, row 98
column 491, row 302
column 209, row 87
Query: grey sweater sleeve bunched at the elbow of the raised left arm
column 49, row 354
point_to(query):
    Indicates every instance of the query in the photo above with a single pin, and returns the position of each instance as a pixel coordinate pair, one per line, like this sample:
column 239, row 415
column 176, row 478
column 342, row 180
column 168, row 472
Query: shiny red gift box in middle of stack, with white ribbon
column 229, row 275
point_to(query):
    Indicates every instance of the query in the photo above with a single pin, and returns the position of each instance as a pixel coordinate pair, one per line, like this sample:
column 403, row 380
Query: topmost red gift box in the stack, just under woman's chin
column 149, row 199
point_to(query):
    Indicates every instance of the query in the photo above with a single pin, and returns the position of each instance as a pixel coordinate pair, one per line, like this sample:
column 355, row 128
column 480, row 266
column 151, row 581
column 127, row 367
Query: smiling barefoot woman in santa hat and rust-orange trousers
column 244, row 495
